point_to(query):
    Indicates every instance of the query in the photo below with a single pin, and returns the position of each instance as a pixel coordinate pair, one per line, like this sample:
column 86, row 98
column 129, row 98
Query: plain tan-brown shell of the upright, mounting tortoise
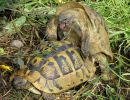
column 95, row 29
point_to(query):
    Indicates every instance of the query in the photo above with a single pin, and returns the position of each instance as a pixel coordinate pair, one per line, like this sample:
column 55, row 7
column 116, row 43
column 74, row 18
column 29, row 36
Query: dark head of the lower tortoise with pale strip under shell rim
column 20, row 82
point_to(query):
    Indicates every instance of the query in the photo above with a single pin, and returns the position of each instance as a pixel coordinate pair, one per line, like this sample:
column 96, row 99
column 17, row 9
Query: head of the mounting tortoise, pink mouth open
column 70, row 20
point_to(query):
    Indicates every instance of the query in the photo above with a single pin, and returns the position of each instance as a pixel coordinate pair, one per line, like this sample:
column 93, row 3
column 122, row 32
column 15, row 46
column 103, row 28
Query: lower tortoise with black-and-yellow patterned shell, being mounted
column 51, row 73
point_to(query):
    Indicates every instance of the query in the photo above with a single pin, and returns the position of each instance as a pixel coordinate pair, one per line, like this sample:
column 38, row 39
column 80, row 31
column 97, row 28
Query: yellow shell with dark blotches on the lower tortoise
column 63, row 68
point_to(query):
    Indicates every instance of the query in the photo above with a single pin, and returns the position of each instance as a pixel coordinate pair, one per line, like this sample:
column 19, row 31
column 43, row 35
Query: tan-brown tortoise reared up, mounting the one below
column 85, row 28
